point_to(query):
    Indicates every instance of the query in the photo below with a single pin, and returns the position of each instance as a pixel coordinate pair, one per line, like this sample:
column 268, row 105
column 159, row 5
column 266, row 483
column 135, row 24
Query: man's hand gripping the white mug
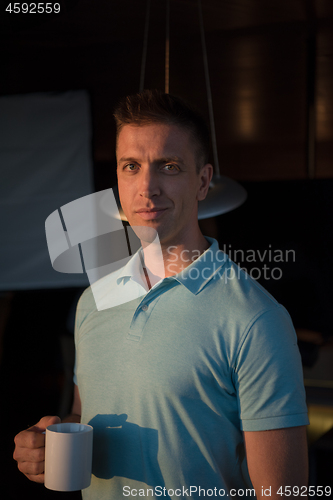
column 30, row 449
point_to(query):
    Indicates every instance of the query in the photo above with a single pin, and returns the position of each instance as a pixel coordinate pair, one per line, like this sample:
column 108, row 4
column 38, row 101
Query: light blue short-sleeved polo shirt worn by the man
column 171, row 377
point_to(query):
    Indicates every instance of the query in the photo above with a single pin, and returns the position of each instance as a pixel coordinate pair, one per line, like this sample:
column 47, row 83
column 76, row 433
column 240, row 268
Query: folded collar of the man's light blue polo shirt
column 194, row 277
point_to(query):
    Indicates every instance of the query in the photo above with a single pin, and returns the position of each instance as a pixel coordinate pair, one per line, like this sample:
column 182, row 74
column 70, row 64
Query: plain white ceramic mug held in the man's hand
column 68, row 456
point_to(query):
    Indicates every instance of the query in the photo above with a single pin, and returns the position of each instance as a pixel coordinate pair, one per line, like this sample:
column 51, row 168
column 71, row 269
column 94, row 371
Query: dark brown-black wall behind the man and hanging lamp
column 271, row 66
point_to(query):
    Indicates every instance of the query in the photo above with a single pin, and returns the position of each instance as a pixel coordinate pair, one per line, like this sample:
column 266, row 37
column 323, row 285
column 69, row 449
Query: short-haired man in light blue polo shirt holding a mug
column 195, row 387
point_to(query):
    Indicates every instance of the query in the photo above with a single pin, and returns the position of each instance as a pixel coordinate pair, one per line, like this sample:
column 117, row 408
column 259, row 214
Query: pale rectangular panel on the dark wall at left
column 45, row 161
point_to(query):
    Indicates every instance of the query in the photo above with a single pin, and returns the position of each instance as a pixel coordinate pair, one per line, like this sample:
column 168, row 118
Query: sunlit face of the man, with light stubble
column 158, row 183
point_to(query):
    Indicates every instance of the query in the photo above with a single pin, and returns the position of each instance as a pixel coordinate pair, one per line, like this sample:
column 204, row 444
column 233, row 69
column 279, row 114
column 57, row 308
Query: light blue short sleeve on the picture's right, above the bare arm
column 268, row 374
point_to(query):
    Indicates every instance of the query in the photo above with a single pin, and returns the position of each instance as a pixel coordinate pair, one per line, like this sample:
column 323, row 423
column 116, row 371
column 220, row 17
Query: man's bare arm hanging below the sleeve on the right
column 277, row 458
